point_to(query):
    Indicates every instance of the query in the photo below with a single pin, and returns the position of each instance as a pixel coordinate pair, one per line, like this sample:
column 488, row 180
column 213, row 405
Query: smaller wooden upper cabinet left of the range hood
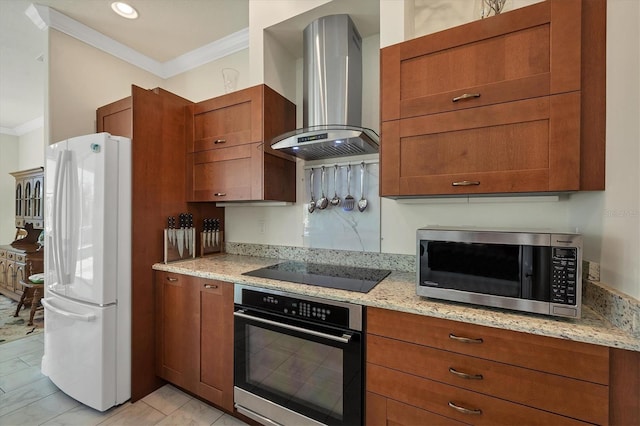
column 229, row 154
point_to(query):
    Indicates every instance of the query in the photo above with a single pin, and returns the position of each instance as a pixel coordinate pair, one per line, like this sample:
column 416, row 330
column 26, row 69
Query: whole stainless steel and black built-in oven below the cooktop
column 298, row 359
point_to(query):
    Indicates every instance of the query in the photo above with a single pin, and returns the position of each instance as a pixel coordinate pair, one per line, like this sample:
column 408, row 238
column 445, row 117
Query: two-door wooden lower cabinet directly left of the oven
column 194, row 335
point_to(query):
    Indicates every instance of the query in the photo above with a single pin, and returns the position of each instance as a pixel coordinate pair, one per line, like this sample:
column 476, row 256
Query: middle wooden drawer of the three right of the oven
column 570, row 397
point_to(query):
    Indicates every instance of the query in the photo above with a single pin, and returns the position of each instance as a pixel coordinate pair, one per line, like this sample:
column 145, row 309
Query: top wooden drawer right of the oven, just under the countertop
column 563, row 357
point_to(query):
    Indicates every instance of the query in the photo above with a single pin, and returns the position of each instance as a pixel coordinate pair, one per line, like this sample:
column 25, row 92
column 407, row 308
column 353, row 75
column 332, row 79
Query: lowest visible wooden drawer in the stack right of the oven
column 456, row 403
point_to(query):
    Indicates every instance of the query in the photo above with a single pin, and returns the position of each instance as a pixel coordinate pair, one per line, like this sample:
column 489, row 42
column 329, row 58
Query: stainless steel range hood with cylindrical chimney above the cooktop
column 332, row 94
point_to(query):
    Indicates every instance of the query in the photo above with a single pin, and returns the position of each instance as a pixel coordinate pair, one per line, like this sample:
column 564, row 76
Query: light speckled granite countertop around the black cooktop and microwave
column 397, row 292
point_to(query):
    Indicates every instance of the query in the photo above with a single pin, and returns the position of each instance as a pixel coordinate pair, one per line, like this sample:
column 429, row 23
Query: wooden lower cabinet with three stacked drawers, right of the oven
column 423, row 370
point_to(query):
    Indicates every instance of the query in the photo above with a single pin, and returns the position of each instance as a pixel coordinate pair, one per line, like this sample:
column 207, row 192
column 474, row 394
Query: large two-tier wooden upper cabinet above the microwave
column 497, row 105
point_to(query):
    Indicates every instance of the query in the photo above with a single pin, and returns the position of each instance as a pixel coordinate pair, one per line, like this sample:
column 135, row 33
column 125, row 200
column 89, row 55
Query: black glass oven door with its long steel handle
column 317, row 374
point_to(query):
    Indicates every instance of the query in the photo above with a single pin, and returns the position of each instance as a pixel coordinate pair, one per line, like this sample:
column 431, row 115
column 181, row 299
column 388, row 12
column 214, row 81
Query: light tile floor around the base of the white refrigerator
column 29, row 398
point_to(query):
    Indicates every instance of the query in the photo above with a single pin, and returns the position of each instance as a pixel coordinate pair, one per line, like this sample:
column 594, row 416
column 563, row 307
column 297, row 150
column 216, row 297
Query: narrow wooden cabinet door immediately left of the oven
column 216, row 342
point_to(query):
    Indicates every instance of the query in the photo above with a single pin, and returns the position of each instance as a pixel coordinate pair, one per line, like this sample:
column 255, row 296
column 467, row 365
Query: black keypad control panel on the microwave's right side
column 564, row 277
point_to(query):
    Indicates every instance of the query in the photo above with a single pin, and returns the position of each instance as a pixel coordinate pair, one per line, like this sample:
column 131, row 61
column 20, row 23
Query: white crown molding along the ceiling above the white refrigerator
column 44, row 16
